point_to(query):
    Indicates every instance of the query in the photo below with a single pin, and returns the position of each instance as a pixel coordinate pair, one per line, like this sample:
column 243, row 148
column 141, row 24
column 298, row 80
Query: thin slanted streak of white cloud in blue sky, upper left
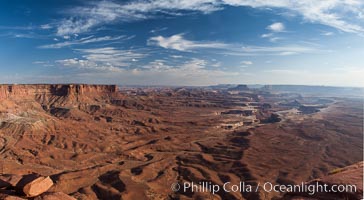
column 85, row 40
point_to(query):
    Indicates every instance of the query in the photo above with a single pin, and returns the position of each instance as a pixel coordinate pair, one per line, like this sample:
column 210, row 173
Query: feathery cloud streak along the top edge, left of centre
column 84, row 18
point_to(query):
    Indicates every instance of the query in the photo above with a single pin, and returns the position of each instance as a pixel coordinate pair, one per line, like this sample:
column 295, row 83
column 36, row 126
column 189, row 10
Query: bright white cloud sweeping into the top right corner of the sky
column 339, row 14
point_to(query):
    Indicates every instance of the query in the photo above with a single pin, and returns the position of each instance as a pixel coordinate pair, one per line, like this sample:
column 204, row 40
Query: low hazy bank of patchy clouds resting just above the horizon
column 192, row 71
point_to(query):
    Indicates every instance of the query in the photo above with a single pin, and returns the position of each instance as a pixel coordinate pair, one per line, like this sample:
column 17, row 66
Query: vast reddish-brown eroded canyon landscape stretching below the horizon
column 110, row 142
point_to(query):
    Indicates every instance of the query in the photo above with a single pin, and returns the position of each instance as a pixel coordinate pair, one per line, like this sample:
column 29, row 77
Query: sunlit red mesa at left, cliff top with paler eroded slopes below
column 26, row 108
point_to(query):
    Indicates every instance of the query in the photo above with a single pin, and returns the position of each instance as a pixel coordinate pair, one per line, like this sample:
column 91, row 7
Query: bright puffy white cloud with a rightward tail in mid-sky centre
column 177, row 42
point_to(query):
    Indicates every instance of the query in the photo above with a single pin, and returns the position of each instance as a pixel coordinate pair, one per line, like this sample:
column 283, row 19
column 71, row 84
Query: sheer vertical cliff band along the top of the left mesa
column 29, row 91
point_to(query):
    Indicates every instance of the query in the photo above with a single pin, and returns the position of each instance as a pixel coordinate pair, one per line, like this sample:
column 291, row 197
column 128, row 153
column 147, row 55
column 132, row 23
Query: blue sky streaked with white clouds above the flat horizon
column 183, row 42
